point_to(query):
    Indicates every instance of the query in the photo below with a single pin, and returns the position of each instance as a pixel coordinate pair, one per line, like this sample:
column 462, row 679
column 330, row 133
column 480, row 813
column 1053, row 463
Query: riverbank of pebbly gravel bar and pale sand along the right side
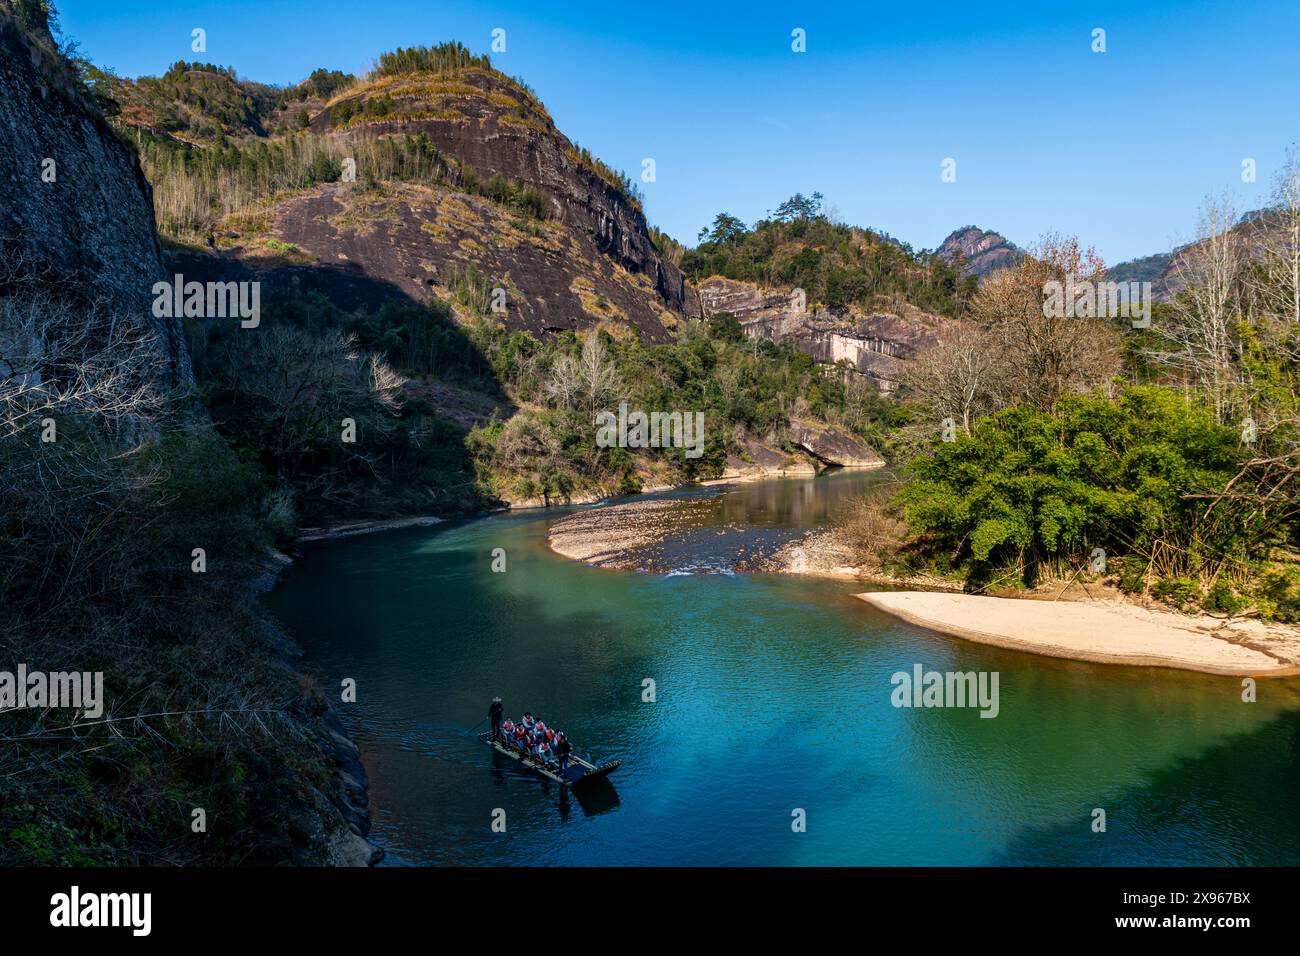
column 648, row 537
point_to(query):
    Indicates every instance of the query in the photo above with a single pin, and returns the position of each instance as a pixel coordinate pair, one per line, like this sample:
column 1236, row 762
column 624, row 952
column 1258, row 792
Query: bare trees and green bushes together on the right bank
column 1188, row 482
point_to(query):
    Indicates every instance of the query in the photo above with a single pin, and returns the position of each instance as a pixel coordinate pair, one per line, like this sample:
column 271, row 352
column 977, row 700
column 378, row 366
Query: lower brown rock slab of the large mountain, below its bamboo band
column 411, row 243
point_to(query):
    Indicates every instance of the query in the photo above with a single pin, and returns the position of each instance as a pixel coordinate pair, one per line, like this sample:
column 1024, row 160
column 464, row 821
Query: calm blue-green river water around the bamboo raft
column 773, row 694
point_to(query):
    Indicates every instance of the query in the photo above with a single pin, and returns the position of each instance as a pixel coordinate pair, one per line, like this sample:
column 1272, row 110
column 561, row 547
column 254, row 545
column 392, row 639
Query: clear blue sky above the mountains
column 1117, row 148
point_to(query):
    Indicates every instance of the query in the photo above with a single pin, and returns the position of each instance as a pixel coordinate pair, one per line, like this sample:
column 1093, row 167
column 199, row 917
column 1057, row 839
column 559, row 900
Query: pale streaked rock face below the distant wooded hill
column 877, row 345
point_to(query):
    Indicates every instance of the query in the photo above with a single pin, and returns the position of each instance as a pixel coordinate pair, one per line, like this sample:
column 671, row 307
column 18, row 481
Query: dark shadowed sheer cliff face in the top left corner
column 76, row 215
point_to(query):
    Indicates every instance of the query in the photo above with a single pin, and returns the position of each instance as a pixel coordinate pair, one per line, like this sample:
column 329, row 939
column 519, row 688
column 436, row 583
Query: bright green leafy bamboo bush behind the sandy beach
column 1032, row 492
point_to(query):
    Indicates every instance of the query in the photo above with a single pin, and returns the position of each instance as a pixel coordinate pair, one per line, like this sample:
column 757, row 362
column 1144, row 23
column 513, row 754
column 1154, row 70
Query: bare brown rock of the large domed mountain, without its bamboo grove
column 579, row 257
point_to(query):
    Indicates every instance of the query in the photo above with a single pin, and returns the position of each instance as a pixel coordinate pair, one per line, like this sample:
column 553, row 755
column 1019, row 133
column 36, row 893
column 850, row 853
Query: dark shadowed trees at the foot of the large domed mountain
column 283, row 400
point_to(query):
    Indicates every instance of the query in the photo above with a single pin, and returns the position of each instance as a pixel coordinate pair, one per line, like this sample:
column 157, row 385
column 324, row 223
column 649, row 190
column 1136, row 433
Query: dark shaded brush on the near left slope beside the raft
column 102, row 533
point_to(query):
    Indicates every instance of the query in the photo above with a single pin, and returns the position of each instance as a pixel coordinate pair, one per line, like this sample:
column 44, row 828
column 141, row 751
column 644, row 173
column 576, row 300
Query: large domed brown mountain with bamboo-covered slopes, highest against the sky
column 463, row 185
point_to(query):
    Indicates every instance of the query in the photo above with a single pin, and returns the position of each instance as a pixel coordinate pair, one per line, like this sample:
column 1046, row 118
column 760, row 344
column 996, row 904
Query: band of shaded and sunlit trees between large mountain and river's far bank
column 280, row 397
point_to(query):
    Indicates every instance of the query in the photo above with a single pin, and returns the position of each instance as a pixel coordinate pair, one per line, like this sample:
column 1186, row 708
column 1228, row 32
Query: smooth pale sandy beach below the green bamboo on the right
column 1103, row 633
